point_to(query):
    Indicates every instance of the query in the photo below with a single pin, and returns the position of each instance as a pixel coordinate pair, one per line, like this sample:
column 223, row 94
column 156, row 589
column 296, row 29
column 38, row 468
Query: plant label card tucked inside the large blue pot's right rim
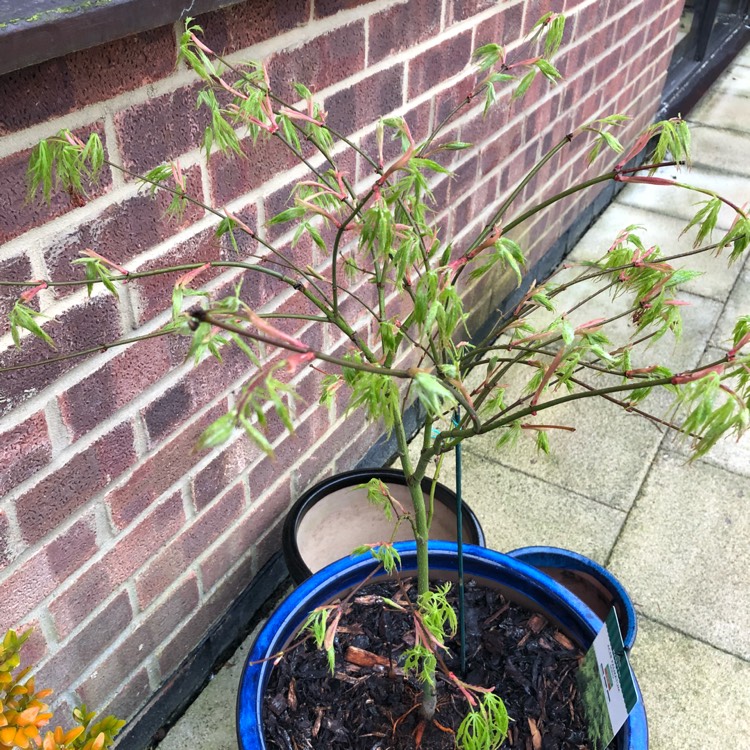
column 606, row 684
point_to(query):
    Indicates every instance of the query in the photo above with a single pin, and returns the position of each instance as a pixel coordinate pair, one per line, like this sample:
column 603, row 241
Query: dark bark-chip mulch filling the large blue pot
column 369, row 705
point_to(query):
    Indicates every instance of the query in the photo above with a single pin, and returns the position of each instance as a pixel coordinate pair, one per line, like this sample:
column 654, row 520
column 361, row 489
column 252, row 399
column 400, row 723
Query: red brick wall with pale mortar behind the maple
column 118, row 542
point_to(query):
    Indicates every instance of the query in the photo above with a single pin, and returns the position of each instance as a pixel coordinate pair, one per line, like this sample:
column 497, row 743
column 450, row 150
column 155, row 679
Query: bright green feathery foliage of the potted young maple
column 388, row 294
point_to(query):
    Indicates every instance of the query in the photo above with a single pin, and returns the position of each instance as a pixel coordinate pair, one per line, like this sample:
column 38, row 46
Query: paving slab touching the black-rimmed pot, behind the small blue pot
column 517, row 510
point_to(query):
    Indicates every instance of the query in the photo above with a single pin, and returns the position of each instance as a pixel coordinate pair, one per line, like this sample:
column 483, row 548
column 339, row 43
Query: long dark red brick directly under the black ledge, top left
column 68, row 83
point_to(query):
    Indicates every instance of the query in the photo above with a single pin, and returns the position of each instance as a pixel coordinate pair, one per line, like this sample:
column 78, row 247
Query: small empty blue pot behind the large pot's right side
column 588, row 580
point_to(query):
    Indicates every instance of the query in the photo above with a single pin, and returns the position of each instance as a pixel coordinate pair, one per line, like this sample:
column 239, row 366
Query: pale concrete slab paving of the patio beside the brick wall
column 621, row 491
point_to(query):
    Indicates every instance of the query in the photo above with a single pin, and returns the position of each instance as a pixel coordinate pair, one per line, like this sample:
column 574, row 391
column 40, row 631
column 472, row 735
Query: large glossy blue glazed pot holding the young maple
column 523, row 583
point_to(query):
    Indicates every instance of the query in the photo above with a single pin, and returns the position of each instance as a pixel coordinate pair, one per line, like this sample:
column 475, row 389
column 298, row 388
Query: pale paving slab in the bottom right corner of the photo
column 696, row 696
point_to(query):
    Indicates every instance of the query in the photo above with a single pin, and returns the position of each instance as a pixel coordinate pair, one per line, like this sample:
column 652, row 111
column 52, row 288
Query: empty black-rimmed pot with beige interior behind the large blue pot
column 334, row 517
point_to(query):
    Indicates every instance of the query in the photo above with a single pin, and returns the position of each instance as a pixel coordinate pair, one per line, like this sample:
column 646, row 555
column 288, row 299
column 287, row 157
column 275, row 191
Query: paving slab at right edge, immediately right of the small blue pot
column 684, row 555
